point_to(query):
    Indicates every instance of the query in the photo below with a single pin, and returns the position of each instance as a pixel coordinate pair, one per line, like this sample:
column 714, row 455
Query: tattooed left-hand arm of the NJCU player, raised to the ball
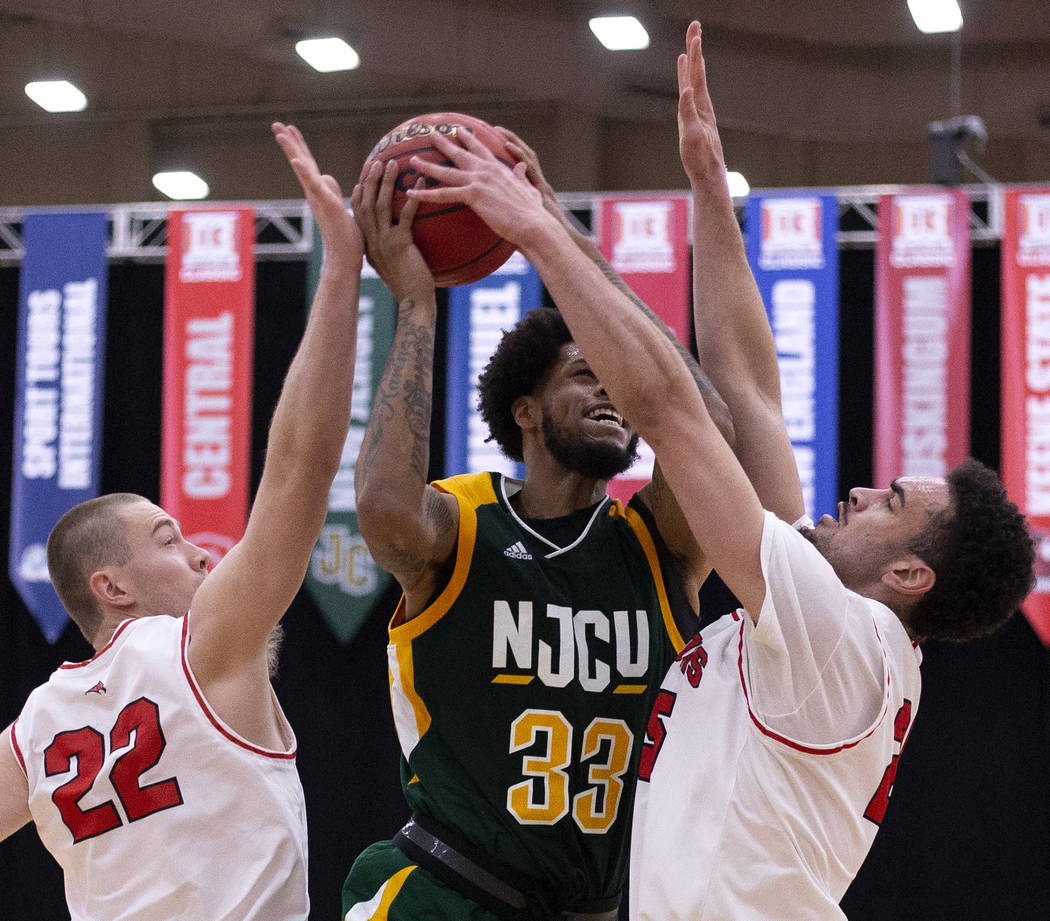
column 410, row 528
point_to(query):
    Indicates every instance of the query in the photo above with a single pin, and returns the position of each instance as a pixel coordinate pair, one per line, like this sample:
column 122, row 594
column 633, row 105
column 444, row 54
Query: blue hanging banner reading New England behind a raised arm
column 793, row 250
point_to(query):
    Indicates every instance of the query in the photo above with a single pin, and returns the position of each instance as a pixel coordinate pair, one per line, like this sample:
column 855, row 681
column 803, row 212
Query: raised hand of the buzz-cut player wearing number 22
column 344, row 244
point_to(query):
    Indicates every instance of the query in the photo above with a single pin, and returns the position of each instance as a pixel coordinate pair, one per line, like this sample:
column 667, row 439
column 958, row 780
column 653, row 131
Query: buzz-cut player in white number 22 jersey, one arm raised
column 161, row 773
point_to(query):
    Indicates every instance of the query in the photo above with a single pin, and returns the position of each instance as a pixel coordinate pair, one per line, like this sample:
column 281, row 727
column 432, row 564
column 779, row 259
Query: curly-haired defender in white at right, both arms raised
column 775, row 739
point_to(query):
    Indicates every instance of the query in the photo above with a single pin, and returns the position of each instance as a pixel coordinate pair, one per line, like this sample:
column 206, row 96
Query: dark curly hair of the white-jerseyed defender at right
column 983, row 555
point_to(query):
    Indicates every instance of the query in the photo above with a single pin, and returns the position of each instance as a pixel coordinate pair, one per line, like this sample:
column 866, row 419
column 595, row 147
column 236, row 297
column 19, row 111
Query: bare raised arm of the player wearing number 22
column 239, row 605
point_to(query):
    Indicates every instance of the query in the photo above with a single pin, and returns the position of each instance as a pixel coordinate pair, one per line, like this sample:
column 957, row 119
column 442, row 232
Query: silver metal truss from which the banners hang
column 284, row 229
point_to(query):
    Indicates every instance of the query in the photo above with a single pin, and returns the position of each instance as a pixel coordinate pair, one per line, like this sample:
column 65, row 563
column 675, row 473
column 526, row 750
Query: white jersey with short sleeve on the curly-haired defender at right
column 772, row 750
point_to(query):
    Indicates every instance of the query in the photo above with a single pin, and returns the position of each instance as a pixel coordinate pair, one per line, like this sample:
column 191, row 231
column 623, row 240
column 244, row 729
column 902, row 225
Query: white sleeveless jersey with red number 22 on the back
column 156, row 810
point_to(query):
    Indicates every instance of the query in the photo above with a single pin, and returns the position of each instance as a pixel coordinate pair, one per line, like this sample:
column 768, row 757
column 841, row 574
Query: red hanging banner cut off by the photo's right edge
column 1025, row 394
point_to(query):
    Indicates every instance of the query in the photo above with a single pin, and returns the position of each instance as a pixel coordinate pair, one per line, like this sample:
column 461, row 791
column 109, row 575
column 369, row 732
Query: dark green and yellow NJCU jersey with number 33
column 521, row 694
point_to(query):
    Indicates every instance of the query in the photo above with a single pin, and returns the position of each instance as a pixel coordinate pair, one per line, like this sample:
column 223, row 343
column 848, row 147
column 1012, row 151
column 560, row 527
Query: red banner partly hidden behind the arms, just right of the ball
column 647, row 242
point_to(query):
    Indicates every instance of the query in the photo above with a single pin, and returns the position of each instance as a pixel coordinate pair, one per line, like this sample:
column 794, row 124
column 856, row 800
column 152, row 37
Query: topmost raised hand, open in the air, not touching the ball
column 700, row 145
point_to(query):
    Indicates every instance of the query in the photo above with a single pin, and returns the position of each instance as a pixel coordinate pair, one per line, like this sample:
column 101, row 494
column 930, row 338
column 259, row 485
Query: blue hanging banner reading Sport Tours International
column 59, row 383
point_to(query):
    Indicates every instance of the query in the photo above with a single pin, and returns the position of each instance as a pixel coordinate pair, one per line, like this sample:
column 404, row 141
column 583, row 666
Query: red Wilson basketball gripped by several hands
column 457, row 245
